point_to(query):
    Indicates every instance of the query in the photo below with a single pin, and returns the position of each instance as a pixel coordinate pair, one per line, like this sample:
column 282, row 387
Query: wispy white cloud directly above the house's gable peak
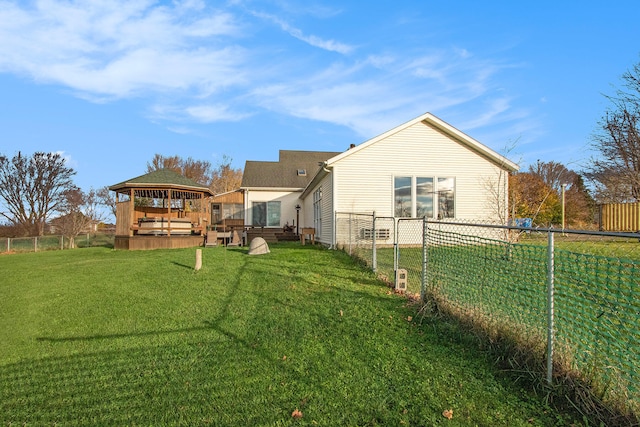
column 382, row 91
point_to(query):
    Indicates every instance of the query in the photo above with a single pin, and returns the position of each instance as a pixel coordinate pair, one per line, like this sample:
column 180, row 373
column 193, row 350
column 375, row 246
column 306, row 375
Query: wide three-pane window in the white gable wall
column 414, row 197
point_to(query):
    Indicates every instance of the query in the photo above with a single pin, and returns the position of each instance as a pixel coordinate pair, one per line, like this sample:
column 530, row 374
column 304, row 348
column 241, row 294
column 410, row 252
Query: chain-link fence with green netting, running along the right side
column 574, row 295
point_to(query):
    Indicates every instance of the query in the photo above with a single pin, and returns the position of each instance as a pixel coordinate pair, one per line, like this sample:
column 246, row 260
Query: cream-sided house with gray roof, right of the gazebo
column 424, row 167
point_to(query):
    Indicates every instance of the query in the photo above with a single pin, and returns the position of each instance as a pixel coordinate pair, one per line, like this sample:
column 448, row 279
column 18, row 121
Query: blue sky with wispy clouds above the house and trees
column 110, row 83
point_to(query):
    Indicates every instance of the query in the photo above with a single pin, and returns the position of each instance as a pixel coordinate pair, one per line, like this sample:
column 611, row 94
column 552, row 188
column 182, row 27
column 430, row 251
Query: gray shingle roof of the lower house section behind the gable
column 284, row 173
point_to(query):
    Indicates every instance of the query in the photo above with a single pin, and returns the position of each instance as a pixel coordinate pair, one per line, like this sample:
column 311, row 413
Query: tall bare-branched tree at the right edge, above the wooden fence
column 615, row 173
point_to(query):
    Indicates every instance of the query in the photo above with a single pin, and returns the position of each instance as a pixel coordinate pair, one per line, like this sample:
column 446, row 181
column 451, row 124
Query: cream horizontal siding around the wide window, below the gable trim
column 364, row 180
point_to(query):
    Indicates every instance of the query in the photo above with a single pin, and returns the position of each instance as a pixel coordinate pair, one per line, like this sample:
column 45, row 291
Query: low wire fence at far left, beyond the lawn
column 53, row 242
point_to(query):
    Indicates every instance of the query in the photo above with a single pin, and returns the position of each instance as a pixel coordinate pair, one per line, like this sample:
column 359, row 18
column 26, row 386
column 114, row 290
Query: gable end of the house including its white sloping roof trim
column 362, row 178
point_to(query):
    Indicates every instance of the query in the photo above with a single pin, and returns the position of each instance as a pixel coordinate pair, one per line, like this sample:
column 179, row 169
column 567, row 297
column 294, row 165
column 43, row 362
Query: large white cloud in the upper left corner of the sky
column 120, row 48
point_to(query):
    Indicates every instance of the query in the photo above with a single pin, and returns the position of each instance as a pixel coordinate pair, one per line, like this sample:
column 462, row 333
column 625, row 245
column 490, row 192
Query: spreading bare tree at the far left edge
column 33, row 188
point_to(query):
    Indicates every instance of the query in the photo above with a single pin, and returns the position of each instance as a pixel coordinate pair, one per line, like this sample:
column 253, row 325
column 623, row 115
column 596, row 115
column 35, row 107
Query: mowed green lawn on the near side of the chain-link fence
column 102, row 337
